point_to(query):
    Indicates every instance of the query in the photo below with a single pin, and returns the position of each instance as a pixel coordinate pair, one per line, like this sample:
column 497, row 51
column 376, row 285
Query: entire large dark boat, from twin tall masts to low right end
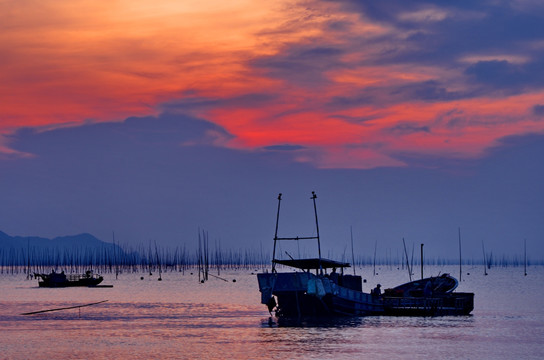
column 318, row 287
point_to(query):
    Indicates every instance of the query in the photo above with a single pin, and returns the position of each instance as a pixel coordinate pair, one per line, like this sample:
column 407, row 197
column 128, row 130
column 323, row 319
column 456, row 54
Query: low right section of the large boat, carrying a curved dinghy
column 432, row 296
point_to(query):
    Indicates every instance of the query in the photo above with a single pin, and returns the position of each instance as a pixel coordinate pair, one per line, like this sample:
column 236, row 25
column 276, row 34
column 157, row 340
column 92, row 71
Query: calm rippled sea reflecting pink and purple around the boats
column 179, row 318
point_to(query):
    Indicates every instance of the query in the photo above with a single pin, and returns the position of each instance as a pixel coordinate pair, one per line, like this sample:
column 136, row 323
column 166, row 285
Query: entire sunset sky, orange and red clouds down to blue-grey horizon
column 154, row 118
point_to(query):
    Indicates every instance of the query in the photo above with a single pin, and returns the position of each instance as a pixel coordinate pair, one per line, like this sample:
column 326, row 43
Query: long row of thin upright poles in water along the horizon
column 114, row 258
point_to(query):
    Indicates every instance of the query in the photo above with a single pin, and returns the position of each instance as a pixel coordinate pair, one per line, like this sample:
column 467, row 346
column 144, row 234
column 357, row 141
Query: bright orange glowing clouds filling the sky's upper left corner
column 109, row 60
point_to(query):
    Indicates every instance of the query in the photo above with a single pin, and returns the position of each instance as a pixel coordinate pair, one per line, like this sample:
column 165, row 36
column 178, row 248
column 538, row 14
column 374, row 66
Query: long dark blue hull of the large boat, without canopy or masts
column 302, row 294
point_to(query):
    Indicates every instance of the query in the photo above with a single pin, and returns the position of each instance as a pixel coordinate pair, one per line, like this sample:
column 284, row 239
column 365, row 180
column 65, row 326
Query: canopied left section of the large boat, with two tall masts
column 315, row 287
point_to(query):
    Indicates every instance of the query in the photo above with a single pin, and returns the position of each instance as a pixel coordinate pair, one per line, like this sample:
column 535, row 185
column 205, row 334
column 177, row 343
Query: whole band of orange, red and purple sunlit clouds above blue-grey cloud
column 342, row 89
